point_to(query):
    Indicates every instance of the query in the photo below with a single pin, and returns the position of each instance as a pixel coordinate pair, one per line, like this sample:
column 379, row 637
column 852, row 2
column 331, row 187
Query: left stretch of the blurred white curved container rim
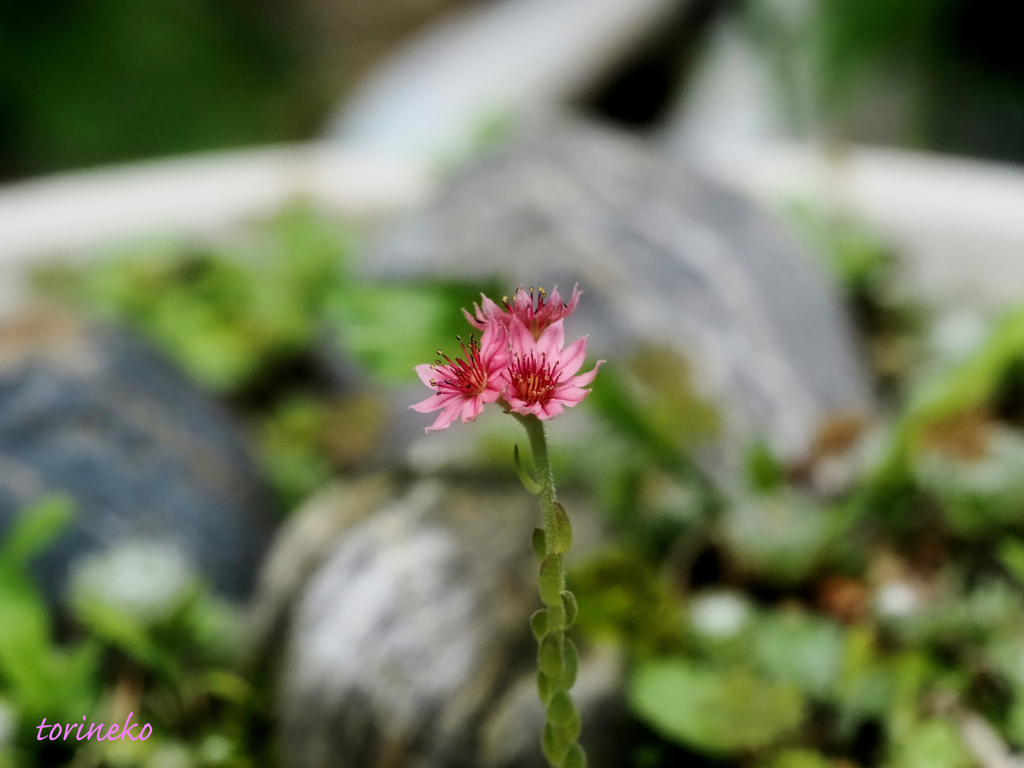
column 73, row 212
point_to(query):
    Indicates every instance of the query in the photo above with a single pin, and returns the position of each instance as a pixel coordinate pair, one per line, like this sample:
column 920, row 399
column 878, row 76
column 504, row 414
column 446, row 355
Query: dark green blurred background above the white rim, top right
column 942, row 75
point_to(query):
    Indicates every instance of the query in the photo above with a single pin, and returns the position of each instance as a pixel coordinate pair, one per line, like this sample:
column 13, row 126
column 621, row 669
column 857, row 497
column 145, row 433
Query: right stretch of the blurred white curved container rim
column 957, row 225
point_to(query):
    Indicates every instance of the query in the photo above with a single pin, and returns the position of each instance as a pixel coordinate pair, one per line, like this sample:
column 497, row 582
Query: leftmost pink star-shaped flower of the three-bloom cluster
column 466, row 386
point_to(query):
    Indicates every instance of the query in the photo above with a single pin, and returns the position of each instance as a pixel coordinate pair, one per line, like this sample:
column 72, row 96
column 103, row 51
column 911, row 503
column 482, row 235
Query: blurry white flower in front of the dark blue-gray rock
column 147, row 580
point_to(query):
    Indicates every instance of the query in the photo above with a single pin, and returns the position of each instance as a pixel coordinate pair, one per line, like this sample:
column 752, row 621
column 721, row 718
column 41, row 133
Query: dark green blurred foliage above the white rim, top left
column 83, row 83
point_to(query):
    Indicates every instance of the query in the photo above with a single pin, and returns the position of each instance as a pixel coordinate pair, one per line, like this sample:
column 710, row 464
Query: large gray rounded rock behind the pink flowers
column 666, row 259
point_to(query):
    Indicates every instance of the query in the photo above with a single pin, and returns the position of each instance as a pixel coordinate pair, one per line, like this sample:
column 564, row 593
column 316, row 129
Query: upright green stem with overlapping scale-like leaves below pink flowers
column 557, row 657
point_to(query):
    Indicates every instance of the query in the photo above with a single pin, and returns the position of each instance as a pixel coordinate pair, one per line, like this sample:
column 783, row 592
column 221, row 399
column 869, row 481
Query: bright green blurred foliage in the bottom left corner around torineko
column 176, row 670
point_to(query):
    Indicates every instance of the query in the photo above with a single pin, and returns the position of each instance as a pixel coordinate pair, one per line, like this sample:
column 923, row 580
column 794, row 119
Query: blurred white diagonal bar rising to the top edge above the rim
column 498, row 62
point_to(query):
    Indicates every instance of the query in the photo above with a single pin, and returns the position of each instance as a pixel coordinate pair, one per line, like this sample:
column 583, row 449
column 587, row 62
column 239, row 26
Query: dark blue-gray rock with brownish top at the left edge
column 152, row 463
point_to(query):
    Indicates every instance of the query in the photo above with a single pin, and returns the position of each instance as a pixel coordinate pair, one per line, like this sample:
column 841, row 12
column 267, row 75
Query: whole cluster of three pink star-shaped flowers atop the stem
column 522, row 362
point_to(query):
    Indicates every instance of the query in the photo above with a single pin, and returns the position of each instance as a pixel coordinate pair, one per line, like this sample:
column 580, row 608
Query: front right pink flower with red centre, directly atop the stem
column 540, row 378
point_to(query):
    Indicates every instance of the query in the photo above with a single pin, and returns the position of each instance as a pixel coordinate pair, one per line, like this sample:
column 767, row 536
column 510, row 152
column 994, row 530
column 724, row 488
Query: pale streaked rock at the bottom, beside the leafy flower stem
column 408, row 642
